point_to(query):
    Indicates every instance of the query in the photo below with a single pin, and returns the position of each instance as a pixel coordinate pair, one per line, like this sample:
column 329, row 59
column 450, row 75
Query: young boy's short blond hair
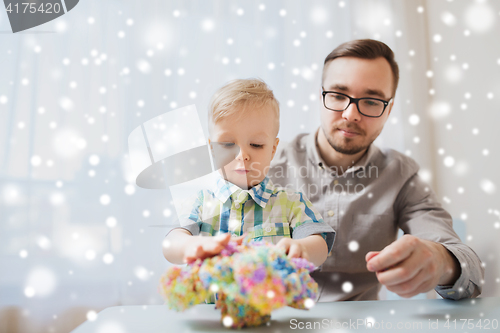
column 240, row 96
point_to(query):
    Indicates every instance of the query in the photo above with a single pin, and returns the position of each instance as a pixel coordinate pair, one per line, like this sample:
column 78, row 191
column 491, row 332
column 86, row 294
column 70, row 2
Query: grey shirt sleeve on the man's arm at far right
column 421, row 215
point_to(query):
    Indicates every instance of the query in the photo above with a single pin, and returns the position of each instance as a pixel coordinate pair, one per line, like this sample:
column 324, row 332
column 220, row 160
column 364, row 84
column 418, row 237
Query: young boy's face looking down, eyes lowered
column 249, row 141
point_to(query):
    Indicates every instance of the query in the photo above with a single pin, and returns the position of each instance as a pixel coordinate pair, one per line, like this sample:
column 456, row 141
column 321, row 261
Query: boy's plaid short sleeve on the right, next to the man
column 305, row 220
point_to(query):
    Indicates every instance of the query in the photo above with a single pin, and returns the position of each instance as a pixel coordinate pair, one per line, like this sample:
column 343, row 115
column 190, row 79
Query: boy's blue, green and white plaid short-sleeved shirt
column 265, row 212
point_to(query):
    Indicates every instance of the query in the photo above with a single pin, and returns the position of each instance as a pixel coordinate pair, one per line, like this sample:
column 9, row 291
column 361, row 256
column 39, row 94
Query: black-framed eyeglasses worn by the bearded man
column 369, row 107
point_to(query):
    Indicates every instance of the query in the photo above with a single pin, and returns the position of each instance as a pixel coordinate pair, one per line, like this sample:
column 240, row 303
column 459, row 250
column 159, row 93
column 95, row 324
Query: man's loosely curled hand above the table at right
column 410, row 266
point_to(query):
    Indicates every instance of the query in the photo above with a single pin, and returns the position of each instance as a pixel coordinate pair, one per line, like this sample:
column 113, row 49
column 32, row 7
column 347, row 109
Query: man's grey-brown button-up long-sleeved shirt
column 366, row 205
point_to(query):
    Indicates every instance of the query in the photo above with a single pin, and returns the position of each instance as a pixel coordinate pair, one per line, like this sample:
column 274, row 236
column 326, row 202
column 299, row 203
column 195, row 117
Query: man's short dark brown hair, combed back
column 365, row 49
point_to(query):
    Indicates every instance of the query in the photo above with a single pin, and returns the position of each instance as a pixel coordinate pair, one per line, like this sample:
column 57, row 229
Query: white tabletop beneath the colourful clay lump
column 402, row 315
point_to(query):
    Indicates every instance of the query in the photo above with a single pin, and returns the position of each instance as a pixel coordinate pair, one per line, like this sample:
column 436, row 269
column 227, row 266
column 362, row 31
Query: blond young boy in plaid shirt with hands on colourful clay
column 243, row 129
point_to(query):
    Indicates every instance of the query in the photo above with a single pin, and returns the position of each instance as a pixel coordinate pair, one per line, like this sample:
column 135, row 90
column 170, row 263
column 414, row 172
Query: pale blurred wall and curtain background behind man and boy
column 77, row 235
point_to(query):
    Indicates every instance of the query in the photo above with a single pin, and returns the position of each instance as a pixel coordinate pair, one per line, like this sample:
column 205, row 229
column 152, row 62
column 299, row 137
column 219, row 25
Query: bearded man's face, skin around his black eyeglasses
column 350, row 132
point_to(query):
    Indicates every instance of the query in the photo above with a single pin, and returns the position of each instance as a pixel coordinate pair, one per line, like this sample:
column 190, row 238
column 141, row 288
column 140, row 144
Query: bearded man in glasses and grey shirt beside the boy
column 366, row 193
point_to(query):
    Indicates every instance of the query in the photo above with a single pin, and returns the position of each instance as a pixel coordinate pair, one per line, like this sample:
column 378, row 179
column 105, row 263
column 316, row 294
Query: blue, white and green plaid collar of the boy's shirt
column 260, row 193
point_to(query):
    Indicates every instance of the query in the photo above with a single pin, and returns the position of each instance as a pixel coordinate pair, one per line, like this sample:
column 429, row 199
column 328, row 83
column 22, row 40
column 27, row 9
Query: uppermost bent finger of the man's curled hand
column 391, row 255
